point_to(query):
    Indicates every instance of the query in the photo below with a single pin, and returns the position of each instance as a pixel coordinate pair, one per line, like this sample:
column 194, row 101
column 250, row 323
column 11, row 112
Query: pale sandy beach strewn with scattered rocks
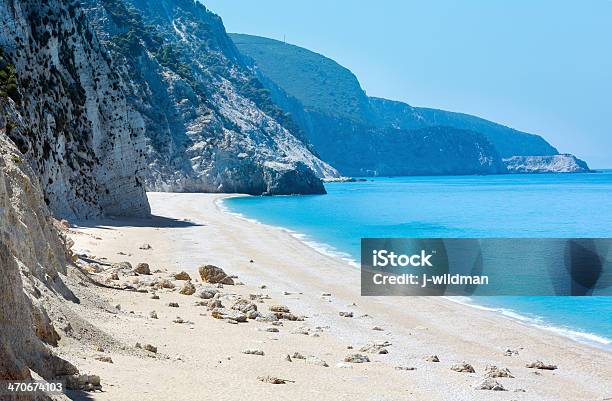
column 200, row 357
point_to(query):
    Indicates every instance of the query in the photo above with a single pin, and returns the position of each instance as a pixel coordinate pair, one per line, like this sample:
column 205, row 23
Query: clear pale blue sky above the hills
column 539, row 66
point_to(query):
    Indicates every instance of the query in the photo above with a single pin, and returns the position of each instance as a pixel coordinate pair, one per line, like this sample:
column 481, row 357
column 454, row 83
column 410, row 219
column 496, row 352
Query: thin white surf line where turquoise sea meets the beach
column 580, row 336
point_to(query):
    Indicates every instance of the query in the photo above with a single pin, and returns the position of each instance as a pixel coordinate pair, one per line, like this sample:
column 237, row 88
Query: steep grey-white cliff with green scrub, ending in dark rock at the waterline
column 210, row 125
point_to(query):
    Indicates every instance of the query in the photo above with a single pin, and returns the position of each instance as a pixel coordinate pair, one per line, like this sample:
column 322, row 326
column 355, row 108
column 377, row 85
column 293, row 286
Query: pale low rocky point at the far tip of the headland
column 563, row 163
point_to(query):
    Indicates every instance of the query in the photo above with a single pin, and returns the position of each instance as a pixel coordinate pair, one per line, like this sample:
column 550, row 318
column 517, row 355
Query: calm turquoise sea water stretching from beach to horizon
column 555, row 205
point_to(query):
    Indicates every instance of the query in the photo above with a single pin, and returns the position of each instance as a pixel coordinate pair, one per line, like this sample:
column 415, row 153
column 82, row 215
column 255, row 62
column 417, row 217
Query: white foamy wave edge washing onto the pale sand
column 535, row 321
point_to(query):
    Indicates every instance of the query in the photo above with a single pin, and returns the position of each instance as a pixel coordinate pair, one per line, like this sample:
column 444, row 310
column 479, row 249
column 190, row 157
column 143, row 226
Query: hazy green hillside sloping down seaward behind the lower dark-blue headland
column 327, row 91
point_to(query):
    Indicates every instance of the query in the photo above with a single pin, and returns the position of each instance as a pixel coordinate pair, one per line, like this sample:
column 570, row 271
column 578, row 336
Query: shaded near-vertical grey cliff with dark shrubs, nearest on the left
column 67, row 112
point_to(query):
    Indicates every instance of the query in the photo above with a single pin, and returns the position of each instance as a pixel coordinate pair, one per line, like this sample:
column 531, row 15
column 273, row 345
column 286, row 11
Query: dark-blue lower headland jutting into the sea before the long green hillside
column 361, row 150
